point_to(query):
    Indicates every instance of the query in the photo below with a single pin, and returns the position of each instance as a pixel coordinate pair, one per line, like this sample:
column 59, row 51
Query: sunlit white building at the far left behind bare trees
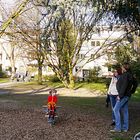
column 10, row 56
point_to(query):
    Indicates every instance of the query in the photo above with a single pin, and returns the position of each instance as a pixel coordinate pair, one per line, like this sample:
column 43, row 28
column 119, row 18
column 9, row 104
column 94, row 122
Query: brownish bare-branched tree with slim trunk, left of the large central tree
column 29, row 32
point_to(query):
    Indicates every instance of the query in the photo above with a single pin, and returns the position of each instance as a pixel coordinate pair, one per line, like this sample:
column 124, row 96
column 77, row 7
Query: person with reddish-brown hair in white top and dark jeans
column 112, row 91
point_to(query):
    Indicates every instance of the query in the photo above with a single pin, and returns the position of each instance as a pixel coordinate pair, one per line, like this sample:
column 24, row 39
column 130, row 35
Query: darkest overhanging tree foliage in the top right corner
column 128, row 12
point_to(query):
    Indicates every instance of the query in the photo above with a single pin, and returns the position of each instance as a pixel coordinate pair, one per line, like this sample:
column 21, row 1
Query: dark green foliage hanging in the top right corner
column 125, row 12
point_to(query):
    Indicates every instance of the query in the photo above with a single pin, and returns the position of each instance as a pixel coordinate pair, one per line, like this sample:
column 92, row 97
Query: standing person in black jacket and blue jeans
column 124, row 86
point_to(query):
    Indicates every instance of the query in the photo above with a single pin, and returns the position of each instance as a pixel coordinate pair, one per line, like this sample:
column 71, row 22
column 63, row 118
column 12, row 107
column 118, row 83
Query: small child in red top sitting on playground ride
column 51, row 101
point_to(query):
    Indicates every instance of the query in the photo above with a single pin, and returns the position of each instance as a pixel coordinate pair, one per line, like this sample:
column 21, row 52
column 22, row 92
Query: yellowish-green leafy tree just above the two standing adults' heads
column 126, row 52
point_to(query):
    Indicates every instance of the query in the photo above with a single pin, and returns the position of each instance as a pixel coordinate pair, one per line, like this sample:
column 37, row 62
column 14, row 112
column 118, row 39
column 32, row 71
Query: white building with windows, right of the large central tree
column 89, row 48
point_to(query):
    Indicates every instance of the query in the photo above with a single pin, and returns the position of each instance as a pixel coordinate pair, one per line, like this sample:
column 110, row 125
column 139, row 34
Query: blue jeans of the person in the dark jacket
column 121, row 107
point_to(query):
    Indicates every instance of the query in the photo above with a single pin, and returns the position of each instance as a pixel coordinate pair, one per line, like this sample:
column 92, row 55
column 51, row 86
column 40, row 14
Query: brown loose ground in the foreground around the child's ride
column 30, row 124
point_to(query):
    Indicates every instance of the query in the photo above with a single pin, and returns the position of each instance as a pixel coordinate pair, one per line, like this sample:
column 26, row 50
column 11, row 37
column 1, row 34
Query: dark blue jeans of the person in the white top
column 113, row 99
